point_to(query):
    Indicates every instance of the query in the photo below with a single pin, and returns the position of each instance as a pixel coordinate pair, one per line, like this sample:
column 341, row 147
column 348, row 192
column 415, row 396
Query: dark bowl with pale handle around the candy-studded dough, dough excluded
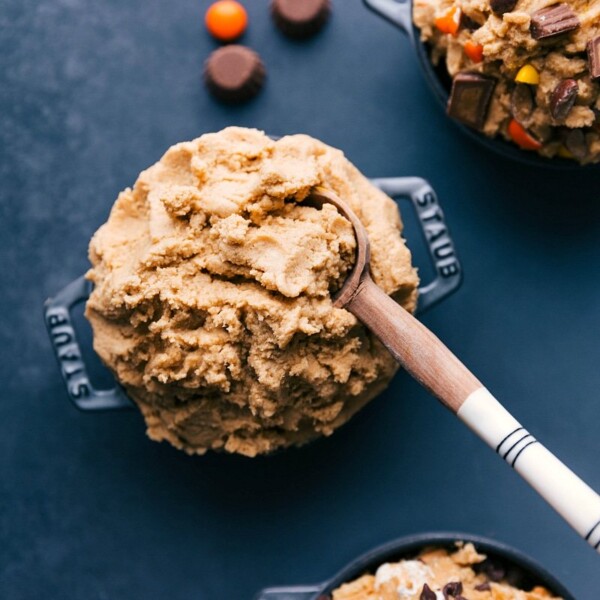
column 400, row 15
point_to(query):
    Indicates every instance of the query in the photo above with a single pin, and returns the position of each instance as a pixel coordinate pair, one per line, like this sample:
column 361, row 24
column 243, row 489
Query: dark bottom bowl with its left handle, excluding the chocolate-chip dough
column 525, row 571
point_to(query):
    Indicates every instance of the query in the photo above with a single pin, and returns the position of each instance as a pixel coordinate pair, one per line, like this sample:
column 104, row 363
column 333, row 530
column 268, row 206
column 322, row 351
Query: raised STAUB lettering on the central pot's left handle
column 62, row 335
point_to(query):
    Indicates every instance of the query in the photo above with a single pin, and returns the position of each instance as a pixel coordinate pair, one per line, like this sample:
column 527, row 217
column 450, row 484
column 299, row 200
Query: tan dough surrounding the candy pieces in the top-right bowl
column 507, row 45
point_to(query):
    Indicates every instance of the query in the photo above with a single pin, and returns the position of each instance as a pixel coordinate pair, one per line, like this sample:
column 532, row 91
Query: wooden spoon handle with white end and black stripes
column 432, row 364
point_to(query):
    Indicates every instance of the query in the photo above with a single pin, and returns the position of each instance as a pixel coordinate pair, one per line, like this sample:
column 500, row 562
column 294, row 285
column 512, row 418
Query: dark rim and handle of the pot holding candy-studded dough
column 497, row 144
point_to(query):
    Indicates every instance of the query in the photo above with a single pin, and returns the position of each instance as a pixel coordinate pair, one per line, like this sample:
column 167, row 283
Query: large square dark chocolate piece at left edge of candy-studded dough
column 470, row 98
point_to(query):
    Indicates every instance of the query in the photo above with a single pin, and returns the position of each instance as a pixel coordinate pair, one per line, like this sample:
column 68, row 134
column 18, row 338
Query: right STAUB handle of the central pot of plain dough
column 436, row 234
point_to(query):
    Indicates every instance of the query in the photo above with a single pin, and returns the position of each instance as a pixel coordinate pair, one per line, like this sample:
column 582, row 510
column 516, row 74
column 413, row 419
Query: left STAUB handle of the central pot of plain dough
column 57, row 315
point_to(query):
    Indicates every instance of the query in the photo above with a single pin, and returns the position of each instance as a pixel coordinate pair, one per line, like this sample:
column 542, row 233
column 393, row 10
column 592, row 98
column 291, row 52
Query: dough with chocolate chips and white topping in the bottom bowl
column 437, row 574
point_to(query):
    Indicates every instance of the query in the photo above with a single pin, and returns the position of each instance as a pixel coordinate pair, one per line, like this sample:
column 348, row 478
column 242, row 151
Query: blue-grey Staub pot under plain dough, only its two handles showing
column 63, row 335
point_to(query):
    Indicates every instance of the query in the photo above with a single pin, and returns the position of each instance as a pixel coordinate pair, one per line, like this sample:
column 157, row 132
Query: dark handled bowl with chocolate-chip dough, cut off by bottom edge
column 434, row 566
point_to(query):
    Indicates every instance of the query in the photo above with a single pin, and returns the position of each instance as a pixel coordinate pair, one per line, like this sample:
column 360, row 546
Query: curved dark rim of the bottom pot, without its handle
column 405, row 545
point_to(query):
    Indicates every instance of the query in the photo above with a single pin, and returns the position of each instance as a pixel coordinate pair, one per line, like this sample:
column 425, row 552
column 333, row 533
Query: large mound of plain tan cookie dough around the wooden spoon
column 213, row 285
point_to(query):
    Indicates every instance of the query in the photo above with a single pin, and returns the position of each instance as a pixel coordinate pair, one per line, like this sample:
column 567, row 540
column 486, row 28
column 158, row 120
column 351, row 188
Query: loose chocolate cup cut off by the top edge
column 300, row 18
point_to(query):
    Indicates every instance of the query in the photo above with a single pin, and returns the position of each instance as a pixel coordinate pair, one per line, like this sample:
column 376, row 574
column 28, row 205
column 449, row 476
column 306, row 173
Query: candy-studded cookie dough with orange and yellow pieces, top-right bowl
column 554, row 103
